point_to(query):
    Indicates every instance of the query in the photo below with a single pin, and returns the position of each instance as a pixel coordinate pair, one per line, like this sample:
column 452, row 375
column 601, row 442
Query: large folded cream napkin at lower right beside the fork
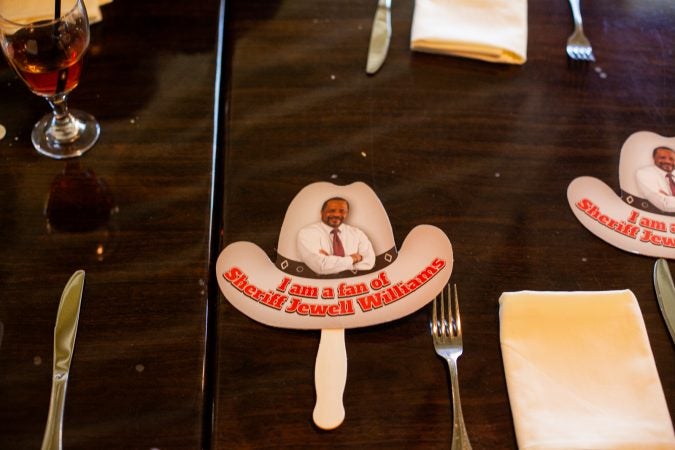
column 580, row 372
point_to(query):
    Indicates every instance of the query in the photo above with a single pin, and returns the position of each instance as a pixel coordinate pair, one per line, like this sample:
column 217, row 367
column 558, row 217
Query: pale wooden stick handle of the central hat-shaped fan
column 330, row 377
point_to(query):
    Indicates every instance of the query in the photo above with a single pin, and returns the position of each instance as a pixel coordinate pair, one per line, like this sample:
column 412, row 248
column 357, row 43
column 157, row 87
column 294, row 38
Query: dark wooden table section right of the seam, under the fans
column 483, row 151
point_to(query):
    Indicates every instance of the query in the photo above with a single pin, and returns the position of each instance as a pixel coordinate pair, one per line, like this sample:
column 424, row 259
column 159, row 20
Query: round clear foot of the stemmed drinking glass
column 82, row 137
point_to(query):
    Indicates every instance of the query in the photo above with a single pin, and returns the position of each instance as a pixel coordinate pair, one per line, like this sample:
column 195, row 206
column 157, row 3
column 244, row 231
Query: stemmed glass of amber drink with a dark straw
column 46, row 51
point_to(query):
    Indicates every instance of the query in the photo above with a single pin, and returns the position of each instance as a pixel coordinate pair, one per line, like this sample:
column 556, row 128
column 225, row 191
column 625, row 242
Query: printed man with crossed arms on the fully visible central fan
column 331, row 246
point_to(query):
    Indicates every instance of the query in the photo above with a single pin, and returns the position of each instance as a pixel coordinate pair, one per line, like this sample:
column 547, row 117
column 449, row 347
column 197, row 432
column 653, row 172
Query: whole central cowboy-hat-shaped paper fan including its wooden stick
column 337, row 267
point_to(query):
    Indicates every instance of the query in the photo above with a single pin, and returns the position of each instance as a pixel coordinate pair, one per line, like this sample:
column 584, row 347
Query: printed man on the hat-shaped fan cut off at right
column 656, row 180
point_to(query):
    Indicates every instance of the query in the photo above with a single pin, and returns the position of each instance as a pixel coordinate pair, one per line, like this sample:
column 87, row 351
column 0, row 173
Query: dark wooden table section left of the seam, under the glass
column 136, row 218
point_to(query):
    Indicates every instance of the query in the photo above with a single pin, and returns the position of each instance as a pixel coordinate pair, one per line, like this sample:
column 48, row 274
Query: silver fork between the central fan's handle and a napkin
column 447, row 335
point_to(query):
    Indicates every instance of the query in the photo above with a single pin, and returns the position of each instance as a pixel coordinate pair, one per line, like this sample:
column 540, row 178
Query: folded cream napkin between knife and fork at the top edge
column 490, row 30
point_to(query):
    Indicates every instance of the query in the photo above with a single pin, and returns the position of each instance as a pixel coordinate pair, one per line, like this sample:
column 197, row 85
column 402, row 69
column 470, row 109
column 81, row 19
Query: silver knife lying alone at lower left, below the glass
column 64, row 343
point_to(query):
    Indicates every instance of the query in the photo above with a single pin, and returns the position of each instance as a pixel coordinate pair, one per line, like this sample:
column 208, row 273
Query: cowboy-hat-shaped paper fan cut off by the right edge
column 642, row 220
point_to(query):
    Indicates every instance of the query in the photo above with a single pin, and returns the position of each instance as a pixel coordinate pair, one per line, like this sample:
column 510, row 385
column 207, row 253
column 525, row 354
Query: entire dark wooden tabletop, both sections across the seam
column 193, row 158
